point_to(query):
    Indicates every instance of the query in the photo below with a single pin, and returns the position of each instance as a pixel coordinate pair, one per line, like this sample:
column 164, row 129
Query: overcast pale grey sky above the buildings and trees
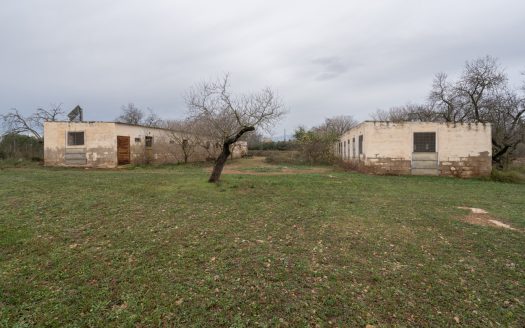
column 324, row 58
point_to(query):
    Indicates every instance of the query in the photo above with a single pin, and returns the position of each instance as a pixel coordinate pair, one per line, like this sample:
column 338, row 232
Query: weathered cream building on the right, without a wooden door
column 419, row 148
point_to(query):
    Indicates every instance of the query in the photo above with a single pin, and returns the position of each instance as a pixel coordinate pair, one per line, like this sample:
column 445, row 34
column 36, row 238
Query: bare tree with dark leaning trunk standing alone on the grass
column 231, row 116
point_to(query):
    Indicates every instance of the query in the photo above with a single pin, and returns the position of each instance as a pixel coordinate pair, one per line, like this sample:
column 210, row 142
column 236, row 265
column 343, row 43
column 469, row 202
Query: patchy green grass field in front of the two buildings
column 162, row 247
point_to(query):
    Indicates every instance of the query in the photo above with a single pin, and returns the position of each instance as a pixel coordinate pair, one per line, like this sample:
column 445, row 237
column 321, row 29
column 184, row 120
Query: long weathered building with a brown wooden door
column 109, row 144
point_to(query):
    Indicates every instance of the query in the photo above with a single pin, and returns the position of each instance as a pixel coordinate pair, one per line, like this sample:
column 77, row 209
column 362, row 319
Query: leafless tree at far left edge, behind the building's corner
column 16, row 123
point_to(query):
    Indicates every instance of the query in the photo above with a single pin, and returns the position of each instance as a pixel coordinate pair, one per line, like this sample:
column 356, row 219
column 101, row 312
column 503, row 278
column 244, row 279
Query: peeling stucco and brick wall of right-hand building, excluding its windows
column 462, row 149
